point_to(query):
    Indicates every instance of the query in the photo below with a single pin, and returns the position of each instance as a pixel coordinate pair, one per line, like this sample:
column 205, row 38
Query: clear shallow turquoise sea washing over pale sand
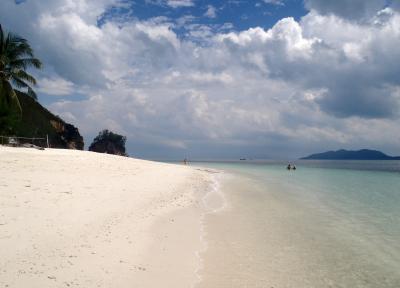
column 326, row 224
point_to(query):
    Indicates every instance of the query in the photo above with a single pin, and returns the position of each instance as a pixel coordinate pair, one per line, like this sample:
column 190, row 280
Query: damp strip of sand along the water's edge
column 178, row 262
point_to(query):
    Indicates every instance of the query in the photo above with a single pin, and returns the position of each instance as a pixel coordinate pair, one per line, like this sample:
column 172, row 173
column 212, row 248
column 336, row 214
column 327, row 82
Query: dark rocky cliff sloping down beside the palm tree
column 38, row 122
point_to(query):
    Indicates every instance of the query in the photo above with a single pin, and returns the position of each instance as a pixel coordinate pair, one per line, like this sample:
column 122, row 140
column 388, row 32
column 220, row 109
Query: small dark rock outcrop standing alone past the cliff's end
column 109, row 142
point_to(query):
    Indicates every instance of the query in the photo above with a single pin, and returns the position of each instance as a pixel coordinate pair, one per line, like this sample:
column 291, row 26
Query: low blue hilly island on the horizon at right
column 342, row 154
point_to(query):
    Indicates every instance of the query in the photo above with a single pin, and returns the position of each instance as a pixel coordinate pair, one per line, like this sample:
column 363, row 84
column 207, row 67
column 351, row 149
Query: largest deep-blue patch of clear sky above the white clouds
column 241, row 14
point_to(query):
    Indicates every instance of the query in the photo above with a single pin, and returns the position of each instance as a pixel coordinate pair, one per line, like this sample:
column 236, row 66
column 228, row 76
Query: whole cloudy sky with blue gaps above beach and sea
column 201, row 79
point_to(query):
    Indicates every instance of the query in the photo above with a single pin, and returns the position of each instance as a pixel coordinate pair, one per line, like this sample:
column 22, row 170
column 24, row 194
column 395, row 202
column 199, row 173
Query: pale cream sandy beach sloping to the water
column 82, row 219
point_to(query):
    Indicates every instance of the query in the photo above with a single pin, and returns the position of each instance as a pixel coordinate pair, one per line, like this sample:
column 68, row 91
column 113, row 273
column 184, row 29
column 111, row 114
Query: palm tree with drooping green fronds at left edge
column 16, row 56
